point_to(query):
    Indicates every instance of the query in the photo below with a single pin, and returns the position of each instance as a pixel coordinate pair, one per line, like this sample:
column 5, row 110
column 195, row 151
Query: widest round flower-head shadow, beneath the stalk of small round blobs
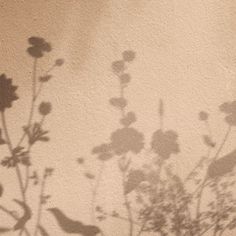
column 125, row 140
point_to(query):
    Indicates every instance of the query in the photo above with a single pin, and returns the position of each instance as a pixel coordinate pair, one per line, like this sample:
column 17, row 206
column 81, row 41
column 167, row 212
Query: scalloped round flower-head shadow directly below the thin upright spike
column 165, row 143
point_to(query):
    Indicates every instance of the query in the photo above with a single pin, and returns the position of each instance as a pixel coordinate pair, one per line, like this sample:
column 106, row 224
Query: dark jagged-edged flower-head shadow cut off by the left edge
column 7, row 92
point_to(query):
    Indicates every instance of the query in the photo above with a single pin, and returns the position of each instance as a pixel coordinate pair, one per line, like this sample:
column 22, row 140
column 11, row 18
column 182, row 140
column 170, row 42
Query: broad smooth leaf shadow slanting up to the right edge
column 222, row 166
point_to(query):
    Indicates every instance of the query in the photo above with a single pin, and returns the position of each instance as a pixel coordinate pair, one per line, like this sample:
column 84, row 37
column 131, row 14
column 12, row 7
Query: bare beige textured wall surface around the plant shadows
column 185, row 55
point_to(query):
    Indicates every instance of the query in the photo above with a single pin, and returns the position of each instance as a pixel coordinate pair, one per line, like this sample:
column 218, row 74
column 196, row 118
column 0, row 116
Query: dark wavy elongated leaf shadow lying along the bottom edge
column 73, row 227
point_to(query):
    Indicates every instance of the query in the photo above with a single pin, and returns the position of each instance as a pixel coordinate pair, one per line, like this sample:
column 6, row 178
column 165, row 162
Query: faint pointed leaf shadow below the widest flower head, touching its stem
column 135, row 177
